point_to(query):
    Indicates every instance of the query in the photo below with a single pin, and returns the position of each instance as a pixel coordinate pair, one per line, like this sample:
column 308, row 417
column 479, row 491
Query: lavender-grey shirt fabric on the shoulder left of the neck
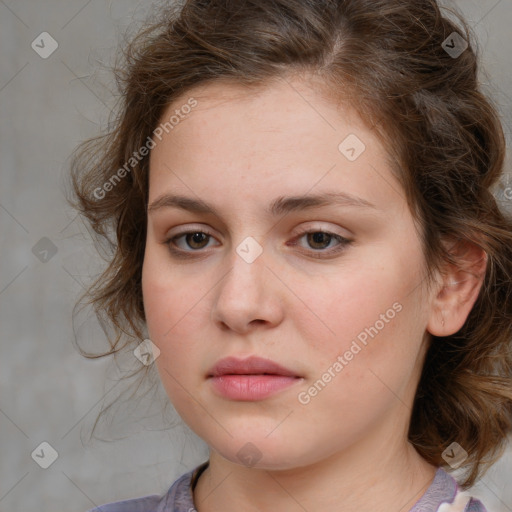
column 179, row 498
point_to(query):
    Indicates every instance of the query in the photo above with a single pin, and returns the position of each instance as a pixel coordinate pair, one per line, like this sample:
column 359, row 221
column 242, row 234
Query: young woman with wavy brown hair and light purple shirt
column 301, row 197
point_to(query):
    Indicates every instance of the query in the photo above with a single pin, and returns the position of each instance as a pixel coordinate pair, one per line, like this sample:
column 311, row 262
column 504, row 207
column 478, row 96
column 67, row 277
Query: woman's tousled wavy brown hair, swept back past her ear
column 442, row 132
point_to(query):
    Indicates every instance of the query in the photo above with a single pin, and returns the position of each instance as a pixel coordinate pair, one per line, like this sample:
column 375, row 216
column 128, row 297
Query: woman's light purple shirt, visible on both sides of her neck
column 179, row 498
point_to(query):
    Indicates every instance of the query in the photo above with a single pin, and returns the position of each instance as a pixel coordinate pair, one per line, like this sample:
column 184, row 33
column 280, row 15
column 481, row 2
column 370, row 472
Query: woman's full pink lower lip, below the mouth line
column 251, row 387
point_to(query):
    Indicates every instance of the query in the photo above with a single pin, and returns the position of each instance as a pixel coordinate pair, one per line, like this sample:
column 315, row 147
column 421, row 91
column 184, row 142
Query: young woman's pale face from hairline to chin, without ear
column 344, row 310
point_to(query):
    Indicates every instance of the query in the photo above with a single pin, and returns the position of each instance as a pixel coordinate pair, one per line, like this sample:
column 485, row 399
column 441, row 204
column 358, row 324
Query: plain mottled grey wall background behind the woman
column 48, row 391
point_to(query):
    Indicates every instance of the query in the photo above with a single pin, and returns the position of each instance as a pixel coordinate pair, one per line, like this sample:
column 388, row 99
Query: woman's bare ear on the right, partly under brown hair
column 458, row 289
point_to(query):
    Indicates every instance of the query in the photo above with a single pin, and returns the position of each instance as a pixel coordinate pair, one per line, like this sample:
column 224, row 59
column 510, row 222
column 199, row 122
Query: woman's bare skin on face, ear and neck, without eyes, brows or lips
column 239, row 150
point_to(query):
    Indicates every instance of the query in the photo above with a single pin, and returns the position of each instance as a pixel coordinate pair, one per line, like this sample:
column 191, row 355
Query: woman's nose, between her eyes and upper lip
column 248, row 296
